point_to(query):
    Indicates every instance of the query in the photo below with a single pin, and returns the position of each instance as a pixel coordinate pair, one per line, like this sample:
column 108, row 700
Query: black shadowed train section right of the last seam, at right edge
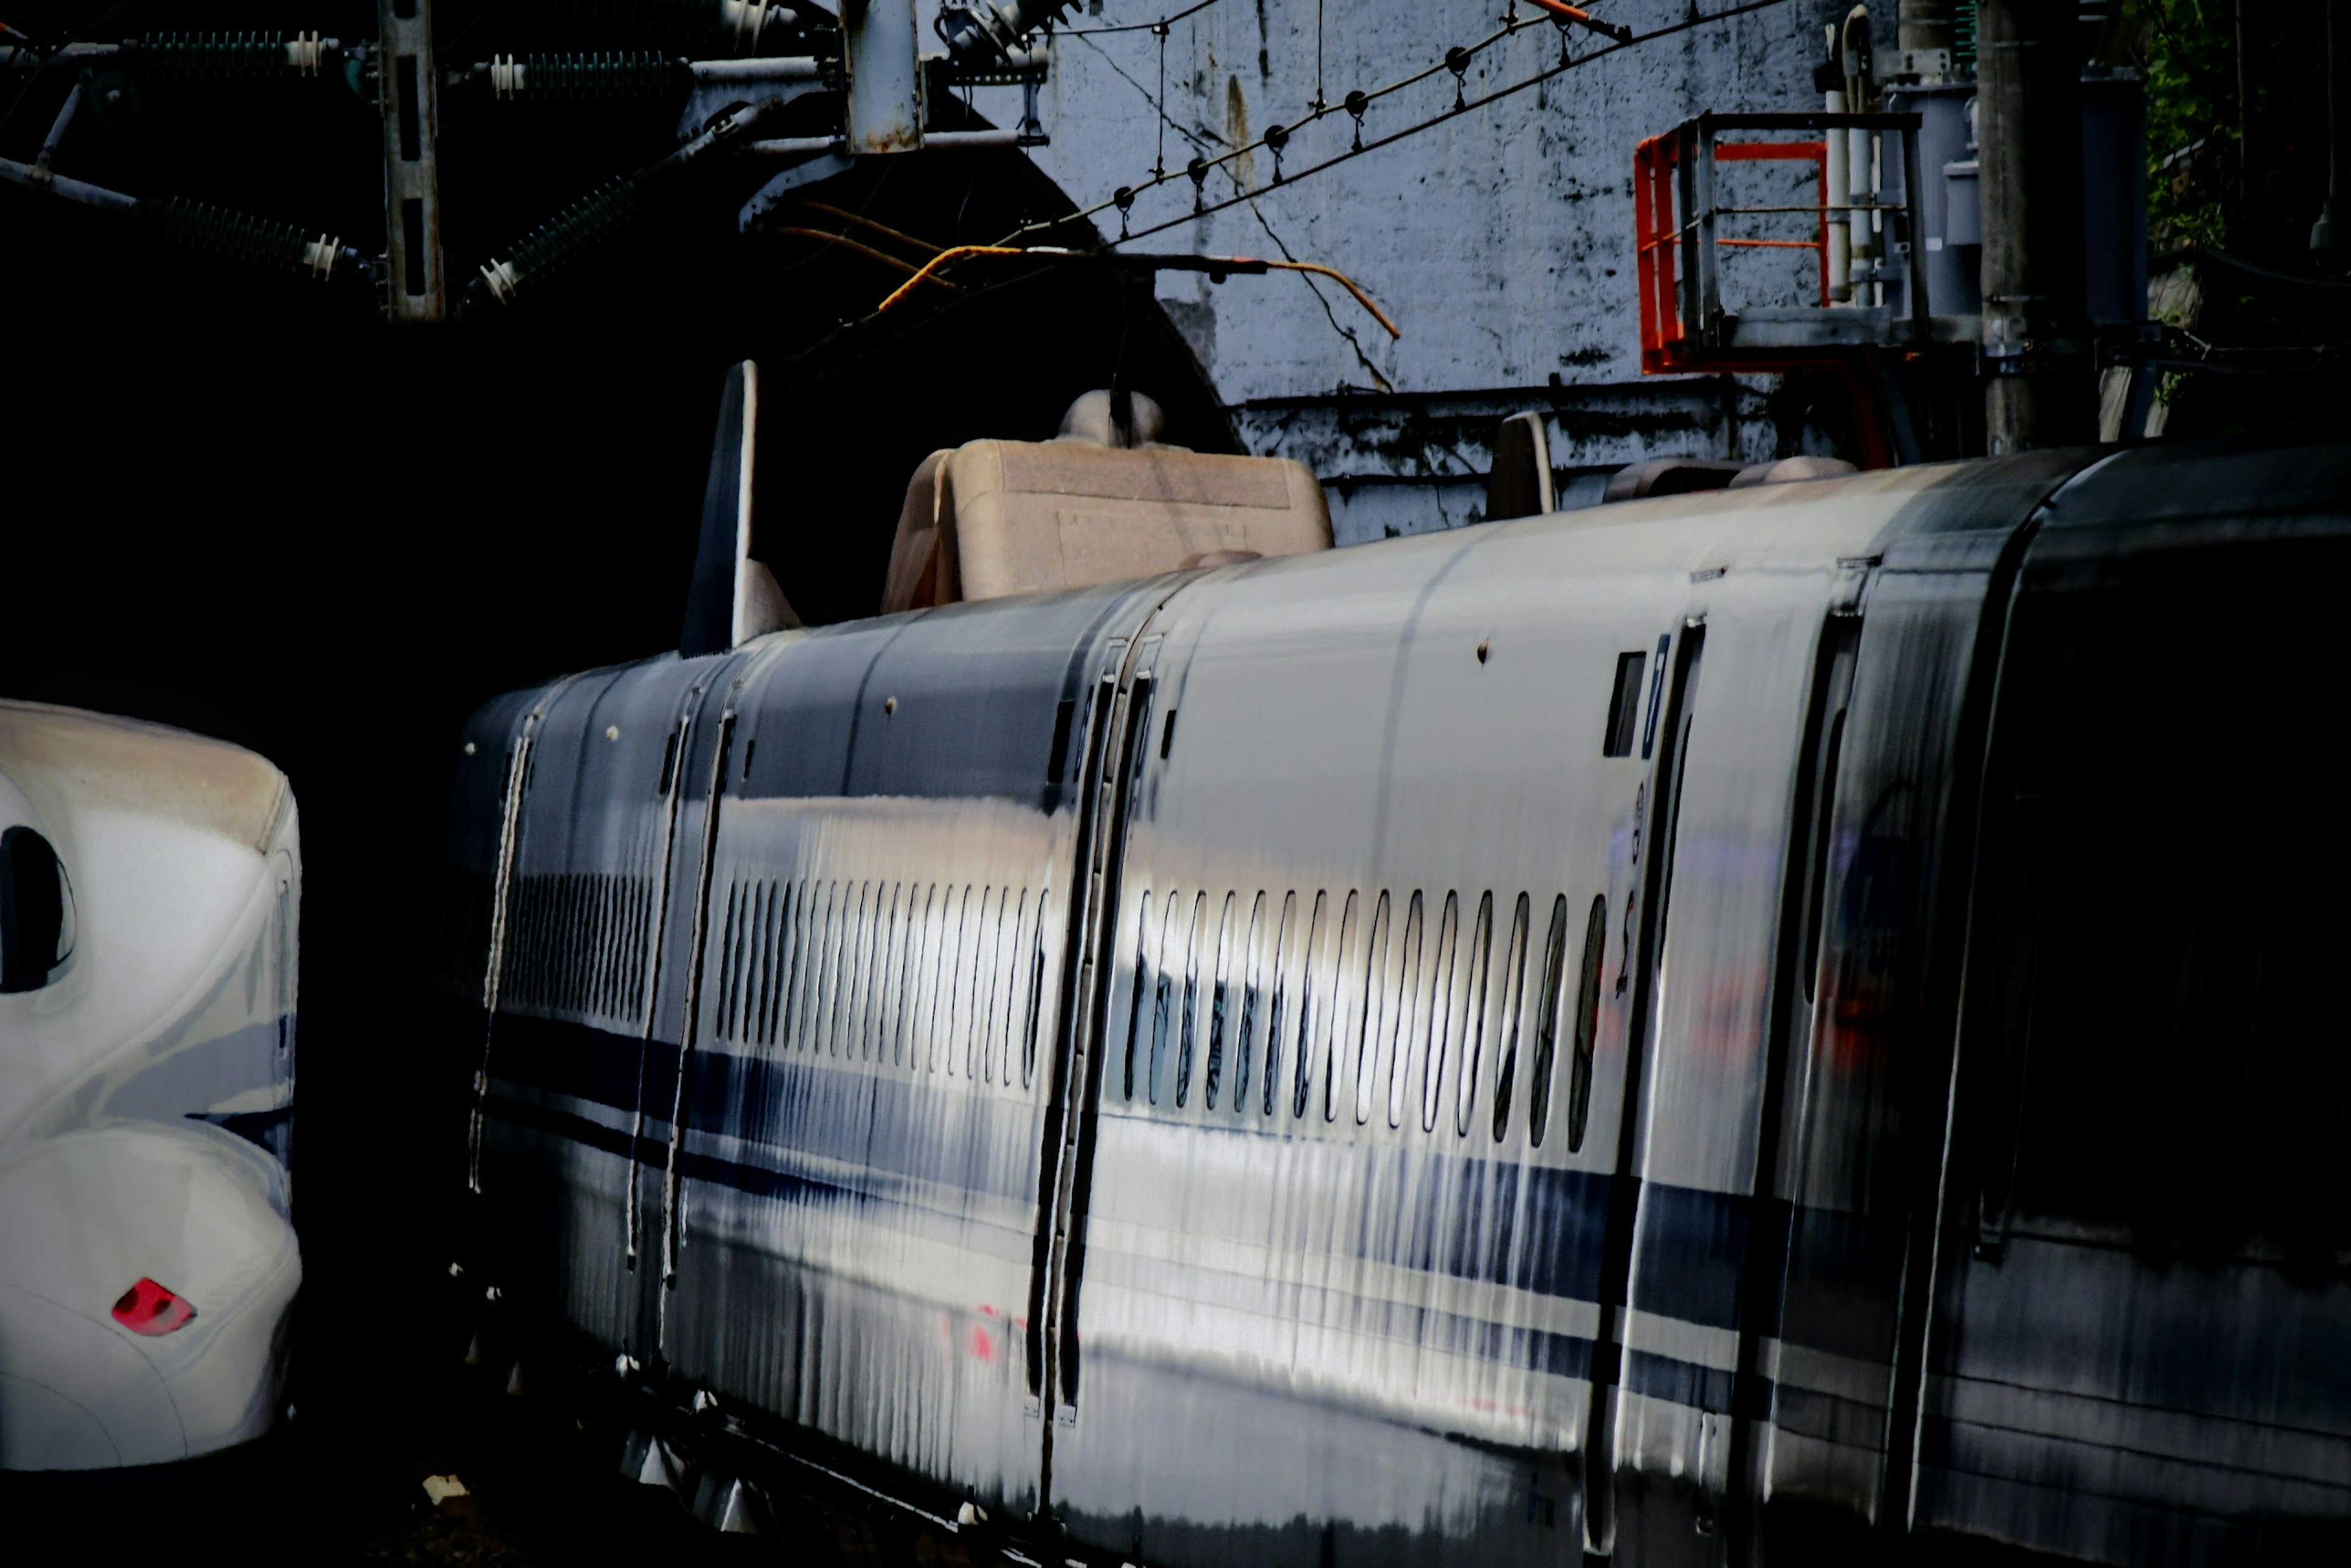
column 2143, row 1301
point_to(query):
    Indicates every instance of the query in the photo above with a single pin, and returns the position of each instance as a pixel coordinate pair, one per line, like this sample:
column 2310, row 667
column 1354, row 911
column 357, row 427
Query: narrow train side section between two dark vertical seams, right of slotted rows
column 1748, row 735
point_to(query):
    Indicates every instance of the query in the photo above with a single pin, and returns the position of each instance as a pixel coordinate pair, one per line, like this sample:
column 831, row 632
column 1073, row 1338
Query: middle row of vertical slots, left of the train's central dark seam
column 925, row 977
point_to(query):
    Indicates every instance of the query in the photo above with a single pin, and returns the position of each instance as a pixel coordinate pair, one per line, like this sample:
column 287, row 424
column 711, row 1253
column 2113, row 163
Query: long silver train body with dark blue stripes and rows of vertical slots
column 1703, row 1031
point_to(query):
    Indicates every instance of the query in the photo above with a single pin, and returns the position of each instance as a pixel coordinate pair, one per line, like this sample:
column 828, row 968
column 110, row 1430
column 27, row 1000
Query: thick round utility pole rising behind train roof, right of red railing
column 2028, row 123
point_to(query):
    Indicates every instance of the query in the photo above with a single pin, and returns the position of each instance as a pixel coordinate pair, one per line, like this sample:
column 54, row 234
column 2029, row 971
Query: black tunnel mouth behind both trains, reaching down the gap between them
column 241, row 504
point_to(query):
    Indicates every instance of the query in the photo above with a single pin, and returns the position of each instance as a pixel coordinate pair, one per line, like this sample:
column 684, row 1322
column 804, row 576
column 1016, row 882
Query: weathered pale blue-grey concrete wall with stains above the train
column 1501, row 241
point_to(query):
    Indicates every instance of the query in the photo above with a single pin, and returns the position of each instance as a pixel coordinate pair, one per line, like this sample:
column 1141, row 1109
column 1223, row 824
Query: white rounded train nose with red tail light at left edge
column 149, row 892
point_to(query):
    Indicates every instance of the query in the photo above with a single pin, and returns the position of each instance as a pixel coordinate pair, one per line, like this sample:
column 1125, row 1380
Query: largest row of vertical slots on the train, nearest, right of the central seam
column 1259, row 996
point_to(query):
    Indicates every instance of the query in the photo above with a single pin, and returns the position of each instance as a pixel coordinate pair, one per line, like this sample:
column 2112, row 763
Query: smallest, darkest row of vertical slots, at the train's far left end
column 580, row 944
